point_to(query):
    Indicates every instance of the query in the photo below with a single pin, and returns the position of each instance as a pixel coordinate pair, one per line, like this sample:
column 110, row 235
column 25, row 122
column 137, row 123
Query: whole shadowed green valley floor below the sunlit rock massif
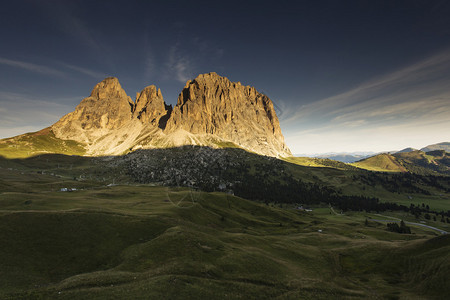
column 104, row 227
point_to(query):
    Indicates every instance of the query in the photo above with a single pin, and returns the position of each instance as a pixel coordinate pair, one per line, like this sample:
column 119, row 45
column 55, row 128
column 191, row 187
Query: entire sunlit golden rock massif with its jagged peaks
column 211, row 111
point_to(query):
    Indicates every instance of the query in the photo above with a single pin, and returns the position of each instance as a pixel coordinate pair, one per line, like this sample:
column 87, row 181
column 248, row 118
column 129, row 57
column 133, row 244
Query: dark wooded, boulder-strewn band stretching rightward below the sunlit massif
column 266, row 179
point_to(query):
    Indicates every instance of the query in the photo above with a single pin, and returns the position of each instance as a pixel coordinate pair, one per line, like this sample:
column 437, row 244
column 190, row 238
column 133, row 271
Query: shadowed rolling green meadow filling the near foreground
column 143, row 242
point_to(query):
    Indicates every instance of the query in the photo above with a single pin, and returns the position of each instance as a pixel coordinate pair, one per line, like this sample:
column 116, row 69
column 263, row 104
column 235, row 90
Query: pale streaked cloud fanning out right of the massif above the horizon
column 392, row 110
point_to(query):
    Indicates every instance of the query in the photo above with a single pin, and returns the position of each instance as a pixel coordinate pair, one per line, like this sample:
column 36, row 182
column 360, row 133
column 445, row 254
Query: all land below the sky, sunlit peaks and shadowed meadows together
column 139, row 199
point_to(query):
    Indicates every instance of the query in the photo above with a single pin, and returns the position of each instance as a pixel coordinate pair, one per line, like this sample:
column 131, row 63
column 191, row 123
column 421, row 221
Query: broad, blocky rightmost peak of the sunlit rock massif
column 212, row 104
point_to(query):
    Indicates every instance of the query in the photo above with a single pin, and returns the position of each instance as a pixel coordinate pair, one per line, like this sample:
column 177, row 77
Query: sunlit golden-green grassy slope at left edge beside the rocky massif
column 35, row 143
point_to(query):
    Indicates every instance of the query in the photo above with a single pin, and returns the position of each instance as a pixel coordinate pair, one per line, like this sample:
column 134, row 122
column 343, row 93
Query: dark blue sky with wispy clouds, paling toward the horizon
column 344, row 76
